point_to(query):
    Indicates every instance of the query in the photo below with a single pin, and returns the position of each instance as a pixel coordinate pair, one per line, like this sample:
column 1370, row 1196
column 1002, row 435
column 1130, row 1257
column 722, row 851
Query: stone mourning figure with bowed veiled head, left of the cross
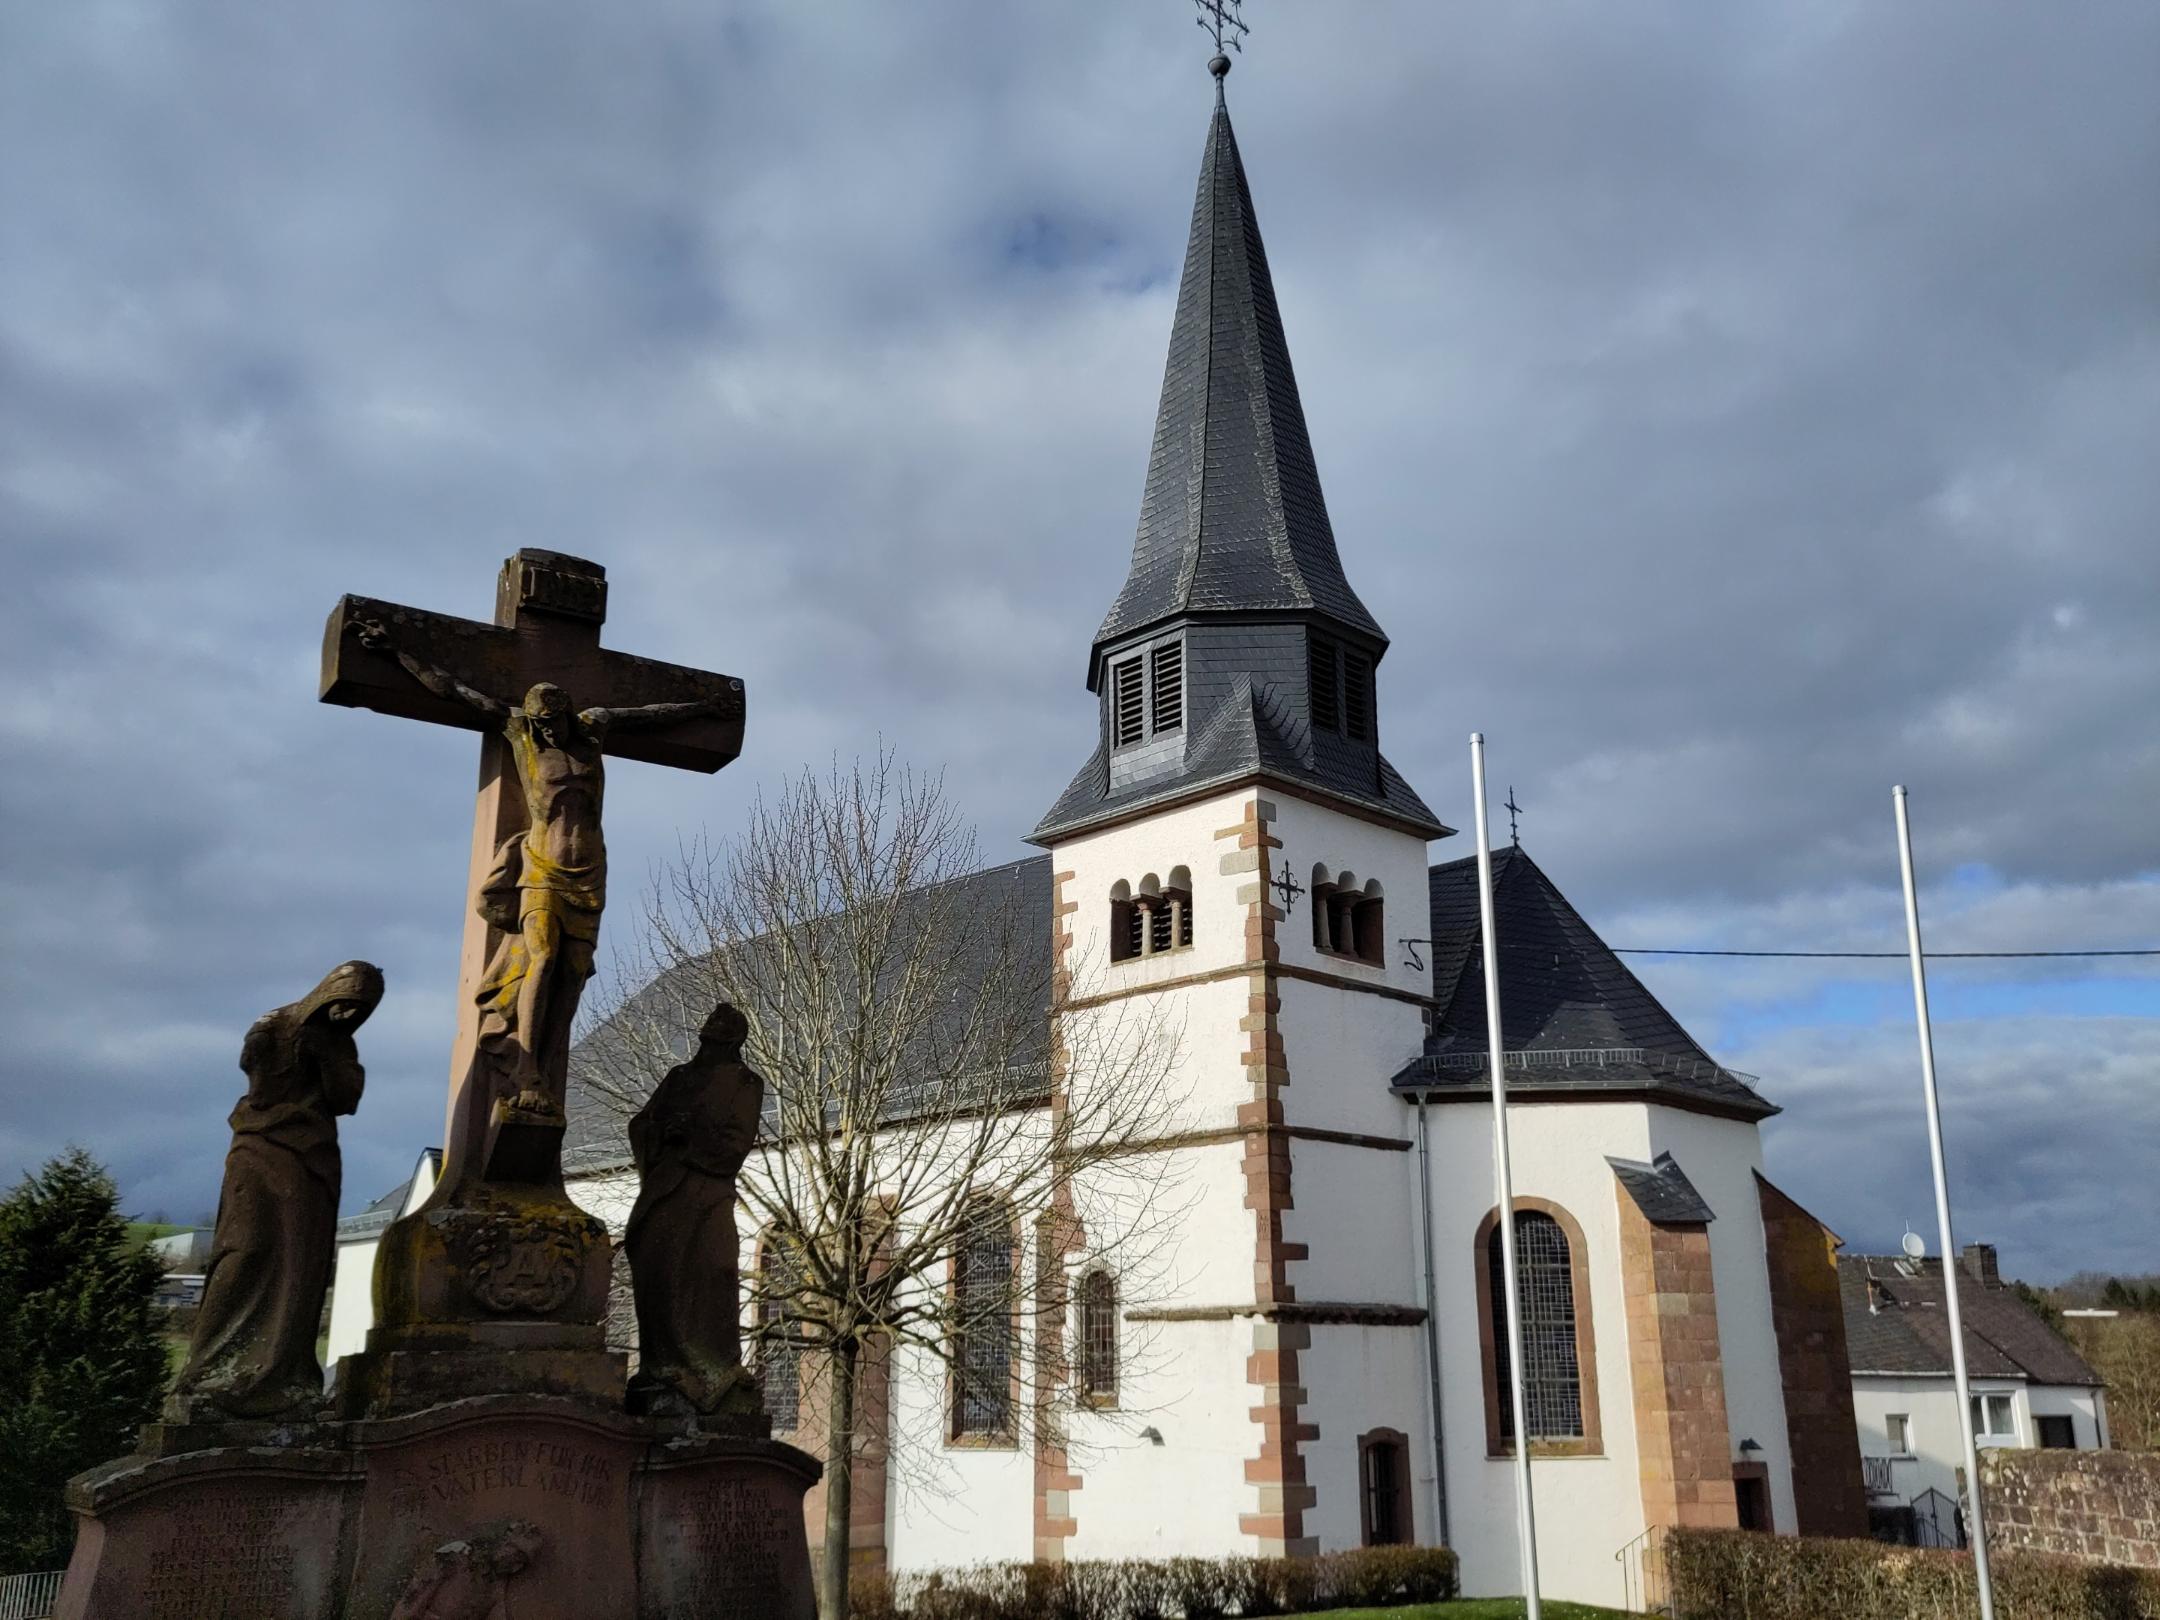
column 275, row 1241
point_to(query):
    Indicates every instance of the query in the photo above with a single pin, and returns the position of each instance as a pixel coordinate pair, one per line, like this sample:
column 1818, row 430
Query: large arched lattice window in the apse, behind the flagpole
column 1558, row 1345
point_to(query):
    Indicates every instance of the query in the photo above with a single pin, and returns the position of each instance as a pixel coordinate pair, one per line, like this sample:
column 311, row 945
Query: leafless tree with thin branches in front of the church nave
column 939, row 1096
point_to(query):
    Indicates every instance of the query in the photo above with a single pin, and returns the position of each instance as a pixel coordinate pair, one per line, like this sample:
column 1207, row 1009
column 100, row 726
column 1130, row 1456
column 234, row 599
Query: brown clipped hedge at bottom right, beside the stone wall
column 1740, row 1576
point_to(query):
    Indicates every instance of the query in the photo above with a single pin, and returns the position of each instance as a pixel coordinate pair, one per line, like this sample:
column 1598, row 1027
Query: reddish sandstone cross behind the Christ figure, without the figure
column 548, row 634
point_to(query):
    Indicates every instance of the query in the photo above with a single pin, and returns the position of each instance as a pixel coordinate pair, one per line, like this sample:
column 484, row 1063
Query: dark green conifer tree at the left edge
column 81, row 1360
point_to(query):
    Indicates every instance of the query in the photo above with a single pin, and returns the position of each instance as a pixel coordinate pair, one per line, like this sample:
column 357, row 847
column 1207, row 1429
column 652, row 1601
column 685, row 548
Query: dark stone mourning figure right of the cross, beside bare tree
column 690, row 1144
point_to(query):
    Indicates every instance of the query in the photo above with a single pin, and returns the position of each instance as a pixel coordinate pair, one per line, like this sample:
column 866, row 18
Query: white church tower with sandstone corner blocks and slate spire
column 1241, row 856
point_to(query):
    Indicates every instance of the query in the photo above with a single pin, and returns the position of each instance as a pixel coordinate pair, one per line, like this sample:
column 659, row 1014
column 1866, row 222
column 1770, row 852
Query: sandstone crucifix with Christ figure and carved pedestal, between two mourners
column 500, row 1265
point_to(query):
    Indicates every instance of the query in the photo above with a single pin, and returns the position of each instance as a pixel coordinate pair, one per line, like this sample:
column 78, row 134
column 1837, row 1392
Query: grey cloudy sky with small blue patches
column 1729, row 407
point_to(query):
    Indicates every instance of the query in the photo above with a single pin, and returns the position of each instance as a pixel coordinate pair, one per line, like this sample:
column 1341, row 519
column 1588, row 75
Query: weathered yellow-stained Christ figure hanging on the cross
column 550, row 882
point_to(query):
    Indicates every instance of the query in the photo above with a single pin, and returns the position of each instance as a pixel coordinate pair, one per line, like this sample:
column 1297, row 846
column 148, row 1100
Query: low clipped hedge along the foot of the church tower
column 1196, row 1589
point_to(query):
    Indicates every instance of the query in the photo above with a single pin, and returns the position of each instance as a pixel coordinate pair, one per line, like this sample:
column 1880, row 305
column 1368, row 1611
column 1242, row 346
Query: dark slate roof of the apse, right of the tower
column 1574, row 1016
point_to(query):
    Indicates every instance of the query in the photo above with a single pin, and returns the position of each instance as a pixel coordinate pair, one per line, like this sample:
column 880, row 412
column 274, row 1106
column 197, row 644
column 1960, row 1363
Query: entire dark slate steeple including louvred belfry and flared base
column 1237, row 647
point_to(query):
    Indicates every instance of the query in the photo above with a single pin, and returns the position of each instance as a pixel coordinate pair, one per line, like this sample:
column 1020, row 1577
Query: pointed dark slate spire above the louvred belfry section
column 1232, row 519
